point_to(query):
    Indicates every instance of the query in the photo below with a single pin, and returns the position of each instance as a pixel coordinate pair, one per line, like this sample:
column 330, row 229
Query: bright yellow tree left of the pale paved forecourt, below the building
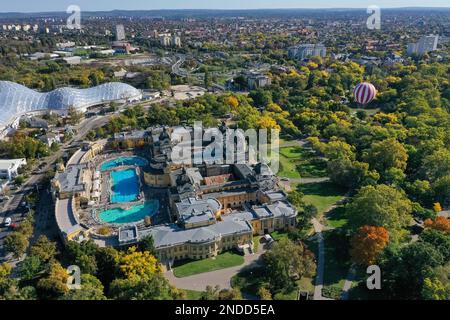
column 136, row 264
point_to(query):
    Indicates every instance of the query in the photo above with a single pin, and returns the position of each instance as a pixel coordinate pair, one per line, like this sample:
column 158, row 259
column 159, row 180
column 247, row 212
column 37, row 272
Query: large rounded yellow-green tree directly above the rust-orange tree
column 380, row 206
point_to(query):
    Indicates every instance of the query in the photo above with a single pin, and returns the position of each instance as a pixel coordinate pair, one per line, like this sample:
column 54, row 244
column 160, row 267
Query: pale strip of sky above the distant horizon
column 106, row 5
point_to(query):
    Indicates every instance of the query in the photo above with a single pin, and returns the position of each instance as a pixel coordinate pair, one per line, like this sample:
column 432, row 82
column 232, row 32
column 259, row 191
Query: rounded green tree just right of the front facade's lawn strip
column 287, row 261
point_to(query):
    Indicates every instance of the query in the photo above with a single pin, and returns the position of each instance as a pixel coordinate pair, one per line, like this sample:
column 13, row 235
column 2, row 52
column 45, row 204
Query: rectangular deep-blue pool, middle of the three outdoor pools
column 124, row 186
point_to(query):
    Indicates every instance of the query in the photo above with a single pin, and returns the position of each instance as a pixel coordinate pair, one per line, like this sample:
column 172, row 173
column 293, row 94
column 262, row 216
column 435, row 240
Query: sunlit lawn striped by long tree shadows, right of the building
column 297, row 162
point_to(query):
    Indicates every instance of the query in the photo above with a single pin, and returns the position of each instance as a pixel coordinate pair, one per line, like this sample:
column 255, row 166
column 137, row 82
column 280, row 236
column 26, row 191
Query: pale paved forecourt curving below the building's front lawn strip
column 220, row 277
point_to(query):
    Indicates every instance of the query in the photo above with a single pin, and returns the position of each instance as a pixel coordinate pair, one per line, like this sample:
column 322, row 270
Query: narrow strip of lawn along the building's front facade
column 224, row 260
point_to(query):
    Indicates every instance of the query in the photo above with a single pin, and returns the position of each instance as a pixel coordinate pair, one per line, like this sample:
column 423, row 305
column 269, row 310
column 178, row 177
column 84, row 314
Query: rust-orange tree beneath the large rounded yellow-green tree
column 367, row 243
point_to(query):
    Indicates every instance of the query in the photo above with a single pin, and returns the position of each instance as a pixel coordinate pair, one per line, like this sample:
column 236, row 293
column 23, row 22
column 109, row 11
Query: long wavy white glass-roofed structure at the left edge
column 16, row 99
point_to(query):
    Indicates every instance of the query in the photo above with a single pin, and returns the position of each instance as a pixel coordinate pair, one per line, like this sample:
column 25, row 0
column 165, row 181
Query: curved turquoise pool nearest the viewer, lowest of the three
column 134, row 214
